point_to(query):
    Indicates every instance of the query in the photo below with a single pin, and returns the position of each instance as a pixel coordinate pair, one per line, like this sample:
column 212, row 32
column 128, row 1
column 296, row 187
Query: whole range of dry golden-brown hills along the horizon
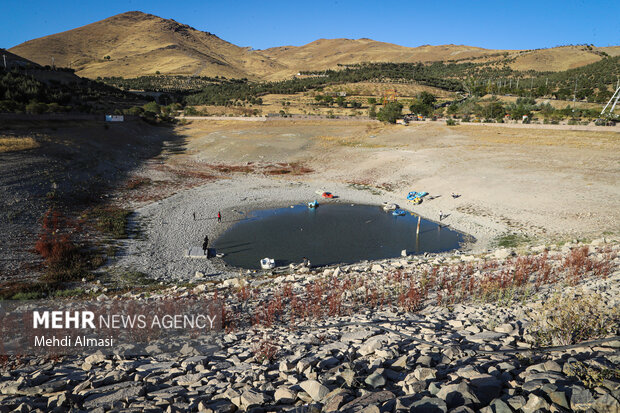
column 135, row 44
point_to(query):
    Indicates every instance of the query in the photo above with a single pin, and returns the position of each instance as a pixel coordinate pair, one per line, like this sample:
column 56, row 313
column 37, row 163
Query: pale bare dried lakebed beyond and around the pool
column 544, row 184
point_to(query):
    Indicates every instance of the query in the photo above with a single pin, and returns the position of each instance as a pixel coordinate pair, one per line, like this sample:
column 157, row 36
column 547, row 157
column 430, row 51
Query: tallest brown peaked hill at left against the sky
column 142, row 44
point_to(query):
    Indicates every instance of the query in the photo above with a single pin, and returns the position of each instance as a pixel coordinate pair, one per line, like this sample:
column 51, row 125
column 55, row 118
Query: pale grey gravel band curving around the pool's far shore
column 169, row 230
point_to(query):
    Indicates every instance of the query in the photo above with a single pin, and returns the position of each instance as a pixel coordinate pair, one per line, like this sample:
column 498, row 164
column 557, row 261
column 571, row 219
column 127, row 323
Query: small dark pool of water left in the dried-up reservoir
column 330, row 234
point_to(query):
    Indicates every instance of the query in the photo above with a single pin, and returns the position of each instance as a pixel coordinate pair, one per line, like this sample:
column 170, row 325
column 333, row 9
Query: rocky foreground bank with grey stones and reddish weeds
column 356, row 338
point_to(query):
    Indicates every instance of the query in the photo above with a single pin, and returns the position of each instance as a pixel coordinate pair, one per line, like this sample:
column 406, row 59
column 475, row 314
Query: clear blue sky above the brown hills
column 261, row 24
